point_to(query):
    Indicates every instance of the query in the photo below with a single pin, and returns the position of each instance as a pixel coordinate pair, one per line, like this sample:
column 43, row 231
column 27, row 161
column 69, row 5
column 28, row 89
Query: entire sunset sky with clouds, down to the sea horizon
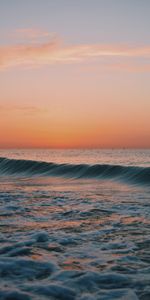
column 74, row 74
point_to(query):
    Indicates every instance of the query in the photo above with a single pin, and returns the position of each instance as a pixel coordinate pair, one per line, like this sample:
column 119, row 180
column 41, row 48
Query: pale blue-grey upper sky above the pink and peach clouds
column 104, row 21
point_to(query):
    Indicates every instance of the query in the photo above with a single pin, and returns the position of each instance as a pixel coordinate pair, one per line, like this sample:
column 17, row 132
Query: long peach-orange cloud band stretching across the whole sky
column 54, row 52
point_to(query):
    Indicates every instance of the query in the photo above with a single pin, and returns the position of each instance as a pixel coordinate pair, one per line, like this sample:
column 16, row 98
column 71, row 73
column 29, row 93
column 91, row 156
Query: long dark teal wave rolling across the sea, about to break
column 131, row 174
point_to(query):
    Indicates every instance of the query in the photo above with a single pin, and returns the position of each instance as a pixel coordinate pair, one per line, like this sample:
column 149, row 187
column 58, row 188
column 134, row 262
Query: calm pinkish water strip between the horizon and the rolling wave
column 120, row 157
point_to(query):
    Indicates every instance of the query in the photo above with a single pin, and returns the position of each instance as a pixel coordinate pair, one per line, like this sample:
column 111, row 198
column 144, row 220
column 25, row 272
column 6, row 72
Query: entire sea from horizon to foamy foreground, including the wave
column 75, row 224
